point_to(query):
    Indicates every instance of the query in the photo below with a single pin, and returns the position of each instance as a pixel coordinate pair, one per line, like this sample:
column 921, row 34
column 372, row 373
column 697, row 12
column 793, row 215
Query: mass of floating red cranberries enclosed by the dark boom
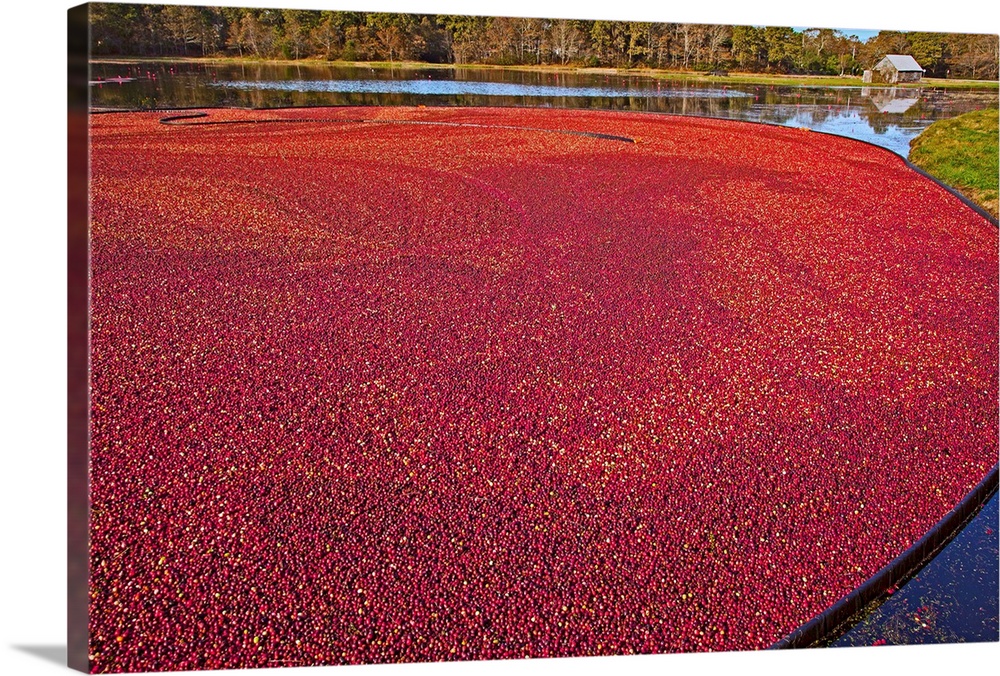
column 408, row 384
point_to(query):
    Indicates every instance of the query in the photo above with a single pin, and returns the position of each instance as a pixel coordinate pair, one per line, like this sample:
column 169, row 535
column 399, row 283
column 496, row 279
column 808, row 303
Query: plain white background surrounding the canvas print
column 33, row 390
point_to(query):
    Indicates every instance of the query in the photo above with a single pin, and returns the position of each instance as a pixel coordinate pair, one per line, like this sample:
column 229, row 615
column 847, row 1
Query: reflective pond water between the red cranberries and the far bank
column 887, row 117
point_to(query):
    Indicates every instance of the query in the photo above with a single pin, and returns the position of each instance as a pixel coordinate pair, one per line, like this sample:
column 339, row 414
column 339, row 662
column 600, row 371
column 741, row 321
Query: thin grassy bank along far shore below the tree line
column 732, row 78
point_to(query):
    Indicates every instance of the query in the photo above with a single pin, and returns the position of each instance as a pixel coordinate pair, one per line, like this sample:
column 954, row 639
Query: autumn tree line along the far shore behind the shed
column 171, row 30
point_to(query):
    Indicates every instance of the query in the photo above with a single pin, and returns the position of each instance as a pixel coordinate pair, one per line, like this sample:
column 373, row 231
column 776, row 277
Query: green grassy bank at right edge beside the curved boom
column 963, row 152
